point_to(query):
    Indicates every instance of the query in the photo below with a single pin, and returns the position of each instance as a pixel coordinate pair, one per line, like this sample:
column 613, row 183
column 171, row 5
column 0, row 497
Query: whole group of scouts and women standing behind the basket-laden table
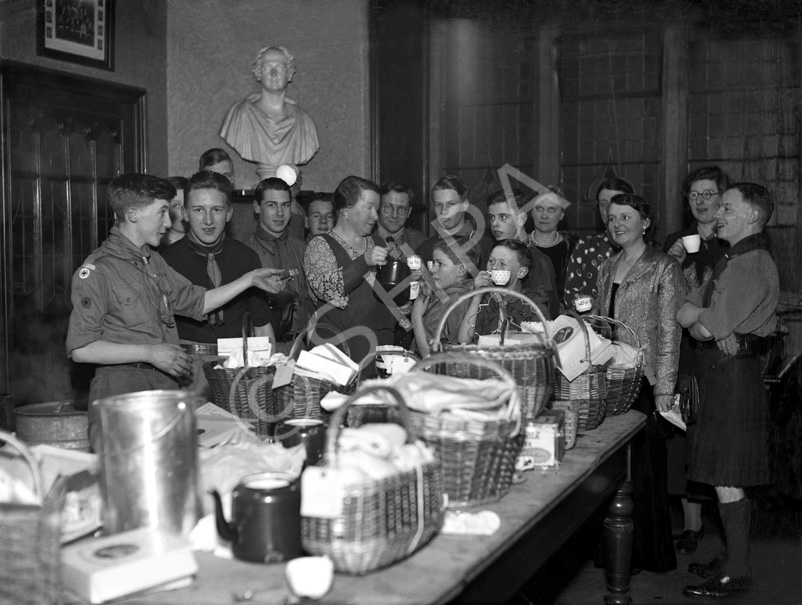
column 697, row 315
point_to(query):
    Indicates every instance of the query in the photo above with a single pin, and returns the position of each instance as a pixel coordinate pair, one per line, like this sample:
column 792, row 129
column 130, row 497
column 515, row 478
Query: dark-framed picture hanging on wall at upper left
column 79, row 31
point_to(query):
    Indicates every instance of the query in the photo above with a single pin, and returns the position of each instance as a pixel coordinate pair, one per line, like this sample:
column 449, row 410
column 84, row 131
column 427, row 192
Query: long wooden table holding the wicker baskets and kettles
column 537, row 516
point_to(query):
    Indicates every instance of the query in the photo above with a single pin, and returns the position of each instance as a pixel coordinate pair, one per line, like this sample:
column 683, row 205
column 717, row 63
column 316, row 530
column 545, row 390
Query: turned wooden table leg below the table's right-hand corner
column 618, row 531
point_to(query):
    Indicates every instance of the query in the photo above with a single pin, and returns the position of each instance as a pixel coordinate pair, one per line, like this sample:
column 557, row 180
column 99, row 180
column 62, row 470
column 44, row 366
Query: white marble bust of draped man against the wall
column 268, row 127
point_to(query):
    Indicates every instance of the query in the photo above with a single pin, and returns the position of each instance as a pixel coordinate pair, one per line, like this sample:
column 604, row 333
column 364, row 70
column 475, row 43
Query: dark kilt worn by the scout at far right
column 731, row 435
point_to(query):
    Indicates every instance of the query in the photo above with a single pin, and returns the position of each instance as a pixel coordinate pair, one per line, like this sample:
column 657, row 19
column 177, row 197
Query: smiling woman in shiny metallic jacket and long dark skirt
column 642, row 287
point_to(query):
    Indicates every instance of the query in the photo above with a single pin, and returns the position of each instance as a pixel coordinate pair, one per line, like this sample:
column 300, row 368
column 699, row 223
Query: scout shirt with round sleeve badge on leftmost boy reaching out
column 125, row 295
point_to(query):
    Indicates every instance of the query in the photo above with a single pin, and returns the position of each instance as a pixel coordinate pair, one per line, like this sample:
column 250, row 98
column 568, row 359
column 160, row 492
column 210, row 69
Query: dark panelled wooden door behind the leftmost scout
column 63, row 138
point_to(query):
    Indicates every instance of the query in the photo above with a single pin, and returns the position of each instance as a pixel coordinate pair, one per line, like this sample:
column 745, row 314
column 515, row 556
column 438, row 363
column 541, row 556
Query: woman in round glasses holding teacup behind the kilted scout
column 702, row 189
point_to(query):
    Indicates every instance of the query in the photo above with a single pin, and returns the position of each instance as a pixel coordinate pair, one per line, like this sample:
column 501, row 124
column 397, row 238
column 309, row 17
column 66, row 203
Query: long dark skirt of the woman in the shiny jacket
column 653, row 545
